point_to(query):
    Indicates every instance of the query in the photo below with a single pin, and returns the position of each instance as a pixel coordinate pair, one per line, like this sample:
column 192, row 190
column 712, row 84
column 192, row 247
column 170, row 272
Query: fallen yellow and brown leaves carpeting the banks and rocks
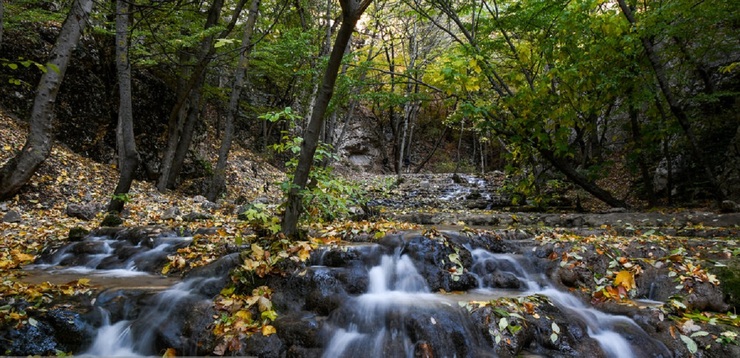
column 608, row 269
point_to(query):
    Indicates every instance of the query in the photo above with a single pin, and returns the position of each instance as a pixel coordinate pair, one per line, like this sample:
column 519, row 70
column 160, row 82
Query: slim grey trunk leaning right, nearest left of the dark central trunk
column 218, row 181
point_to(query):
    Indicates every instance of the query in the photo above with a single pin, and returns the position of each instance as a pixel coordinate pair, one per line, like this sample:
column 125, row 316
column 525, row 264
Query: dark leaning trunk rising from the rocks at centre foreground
column 351, row 12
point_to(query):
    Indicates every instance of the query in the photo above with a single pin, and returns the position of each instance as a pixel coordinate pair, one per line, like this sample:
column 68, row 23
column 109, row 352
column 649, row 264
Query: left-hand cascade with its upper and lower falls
column 143, row 315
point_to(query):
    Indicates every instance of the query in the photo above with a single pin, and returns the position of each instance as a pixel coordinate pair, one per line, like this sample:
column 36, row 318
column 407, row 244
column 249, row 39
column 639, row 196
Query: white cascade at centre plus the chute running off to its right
column 384, row 321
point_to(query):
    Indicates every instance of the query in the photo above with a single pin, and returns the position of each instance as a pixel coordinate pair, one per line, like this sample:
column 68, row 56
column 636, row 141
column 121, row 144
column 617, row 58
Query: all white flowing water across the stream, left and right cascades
column 373, row 324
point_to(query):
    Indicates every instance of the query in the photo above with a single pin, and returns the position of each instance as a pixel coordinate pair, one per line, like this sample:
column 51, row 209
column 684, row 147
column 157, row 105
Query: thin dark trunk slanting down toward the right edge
column 673, row 104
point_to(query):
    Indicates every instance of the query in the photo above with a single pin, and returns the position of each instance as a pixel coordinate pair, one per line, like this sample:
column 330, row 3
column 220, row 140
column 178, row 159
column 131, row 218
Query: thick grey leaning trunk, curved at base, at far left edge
column 16, row 172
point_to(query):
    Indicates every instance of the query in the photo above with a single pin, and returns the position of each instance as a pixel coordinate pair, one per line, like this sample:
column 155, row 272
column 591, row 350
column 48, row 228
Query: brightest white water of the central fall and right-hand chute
column 396, row 286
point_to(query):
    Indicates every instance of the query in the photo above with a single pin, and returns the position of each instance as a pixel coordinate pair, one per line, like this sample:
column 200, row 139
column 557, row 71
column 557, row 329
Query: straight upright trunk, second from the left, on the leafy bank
column 127, row 154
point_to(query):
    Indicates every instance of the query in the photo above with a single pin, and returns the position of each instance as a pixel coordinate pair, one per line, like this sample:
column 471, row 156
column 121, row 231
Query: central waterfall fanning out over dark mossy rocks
column 384, row 321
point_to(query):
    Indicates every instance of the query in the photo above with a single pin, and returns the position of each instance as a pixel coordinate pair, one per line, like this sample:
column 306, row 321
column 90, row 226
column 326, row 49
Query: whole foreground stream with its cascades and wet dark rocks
column 392, row 299
